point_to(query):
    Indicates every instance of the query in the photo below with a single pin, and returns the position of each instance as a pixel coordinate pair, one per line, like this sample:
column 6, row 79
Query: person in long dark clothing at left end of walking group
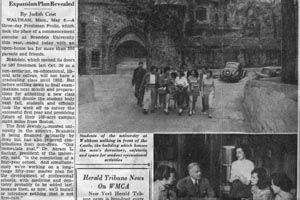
column 137, row 79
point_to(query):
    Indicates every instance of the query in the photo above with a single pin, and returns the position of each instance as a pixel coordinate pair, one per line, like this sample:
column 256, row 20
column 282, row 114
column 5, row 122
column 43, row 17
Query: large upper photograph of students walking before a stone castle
column 188, row 66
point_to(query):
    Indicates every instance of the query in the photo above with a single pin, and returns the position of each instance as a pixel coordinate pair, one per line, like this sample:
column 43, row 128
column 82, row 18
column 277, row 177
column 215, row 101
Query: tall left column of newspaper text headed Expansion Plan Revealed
column 38, row 72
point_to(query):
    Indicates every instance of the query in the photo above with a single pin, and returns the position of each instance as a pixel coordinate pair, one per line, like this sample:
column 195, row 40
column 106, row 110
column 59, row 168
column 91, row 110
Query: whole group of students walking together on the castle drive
column 156, row 88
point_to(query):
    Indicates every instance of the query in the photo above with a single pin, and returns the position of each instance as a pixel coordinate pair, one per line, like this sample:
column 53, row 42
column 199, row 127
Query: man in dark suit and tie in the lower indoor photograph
column 194, row 185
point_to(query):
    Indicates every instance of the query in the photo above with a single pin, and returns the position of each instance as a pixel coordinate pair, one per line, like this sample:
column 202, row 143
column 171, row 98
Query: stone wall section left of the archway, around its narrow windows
column 102, row 23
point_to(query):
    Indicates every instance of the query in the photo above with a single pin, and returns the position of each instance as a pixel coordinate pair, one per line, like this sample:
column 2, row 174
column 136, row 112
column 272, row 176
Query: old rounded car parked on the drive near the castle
column 232, row 72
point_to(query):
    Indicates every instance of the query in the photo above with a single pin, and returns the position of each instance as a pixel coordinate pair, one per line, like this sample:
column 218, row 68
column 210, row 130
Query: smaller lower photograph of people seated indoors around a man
column 224, row 166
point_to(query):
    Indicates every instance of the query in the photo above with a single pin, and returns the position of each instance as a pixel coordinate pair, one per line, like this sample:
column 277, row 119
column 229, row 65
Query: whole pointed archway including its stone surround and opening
column 127, row 48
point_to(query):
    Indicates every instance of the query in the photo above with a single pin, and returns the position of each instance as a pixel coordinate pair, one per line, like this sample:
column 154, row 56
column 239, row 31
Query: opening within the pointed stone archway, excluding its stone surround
column 128, row 54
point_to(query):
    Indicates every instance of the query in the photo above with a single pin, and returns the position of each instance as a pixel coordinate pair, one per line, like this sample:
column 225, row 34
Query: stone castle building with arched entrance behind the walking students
column 214, row 33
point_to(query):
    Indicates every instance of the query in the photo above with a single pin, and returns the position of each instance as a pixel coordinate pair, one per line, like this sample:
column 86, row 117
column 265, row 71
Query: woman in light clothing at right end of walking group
column 208, row 92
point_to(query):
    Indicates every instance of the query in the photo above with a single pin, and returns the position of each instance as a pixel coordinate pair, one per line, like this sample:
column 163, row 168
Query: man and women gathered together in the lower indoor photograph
column 247, row 183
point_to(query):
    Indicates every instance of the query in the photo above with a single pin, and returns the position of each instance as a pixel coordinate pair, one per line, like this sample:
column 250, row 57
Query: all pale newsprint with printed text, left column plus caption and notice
column 39, row 156
